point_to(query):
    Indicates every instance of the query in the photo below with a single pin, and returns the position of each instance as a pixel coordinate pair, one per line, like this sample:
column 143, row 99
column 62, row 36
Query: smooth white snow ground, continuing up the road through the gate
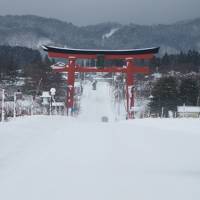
column 59, row 158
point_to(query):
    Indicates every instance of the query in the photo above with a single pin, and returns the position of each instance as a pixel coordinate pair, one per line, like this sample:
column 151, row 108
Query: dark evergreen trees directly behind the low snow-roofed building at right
column 170, row 92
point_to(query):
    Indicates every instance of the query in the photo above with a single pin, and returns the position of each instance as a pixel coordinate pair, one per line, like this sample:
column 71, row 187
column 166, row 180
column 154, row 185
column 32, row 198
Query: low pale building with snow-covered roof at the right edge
column 188, row 111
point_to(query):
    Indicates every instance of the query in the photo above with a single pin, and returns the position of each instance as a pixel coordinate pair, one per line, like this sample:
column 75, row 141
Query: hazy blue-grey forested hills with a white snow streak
column 32, row 31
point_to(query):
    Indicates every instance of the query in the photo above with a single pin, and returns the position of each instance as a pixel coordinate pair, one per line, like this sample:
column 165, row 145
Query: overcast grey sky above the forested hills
column 84, row 12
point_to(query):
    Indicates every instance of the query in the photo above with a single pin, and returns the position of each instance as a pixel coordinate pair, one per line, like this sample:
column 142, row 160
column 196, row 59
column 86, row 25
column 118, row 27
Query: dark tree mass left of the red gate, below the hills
column 21, row 62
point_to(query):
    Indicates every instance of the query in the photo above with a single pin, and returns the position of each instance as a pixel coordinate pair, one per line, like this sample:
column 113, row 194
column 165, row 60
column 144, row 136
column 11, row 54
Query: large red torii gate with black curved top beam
column 130, row 69
